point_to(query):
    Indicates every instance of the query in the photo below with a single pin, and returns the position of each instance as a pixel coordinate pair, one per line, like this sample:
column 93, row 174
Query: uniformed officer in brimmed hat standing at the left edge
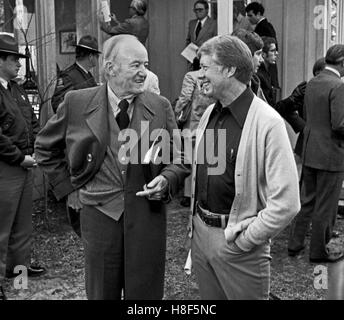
column 18, row 128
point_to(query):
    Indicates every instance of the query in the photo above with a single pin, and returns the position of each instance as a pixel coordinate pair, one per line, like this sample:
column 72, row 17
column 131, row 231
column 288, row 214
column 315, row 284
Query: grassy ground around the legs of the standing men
column 60, row 250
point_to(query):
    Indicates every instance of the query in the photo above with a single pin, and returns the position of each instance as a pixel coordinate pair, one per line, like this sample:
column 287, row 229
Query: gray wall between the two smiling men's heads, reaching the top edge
column 168, row 21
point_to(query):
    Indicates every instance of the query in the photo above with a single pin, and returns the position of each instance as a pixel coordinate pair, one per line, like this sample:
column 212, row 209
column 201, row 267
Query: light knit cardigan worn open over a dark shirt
column 266, row 179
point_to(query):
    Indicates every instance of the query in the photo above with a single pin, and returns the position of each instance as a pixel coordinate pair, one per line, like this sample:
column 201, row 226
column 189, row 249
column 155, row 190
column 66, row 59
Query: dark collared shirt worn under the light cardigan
column 216, row 193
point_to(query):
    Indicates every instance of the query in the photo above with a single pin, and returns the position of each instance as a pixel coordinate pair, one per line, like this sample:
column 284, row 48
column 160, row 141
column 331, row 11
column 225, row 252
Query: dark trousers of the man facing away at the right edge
column 319, row 201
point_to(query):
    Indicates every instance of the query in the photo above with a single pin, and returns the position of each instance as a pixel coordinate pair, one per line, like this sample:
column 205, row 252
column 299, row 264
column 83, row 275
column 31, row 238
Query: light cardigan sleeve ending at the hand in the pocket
column 281, row 186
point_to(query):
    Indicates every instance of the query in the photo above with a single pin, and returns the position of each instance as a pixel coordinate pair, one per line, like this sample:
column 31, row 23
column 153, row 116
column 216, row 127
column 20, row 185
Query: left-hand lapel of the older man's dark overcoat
column 96, row 115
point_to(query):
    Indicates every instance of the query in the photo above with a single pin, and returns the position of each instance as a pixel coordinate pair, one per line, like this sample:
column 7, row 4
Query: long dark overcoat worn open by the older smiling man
column 81, row 127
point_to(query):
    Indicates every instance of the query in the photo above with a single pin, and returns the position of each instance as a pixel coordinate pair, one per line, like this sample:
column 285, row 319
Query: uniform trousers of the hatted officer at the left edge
column 15, row 217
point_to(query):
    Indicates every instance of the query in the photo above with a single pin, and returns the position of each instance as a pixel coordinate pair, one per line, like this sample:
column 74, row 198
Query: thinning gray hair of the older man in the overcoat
column 111, row 48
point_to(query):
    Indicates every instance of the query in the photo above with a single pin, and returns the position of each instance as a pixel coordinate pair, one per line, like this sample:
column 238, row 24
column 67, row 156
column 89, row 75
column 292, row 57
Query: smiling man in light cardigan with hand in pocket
column 255, row 195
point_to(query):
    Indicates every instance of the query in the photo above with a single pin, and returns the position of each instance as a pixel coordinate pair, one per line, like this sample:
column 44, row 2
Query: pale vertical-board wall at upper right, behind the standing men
column 300, row 43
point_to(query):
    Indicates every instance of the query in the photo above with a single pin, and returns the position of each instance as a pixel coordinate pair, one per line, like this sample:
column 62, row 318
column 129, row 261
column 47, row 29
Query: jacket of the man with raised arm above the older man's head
column 136, row 25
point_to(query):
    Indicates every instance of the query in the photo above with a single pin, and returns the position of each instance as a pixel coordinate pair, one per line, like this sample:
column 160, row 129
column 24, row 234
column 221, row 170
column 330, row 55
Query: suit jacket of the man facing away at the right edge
column 324, row 132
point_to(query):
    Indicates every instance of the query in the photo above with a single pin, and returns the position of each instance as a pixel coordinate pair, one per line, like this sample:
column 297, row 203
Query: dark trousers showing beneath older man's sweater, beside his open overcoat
column 104, row 254
